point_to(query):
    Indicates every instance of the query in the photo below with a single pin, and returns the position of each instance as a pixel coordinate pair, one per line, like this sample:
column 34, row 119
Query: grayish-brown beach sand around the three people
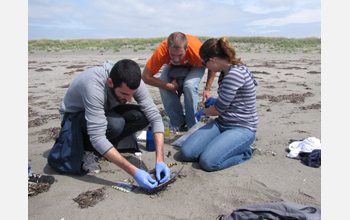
column 288, row 106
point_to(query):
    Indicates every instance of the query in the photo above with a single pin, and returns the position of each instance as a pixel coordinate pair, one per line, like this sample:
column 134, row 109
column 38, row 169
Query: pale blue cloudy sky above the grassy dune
column 72, row 19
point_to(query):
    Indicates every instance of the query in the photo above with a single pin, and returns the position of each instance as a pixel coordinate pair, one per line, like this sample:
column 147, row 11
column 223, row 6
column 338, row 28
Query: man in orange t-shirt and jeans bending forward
column 182, row 74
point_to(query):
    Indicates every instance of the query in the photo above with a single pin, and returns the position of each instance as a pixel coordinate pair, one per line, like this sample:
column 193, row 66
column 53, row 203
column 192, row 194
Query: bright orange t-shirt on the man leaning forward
column 161, row 55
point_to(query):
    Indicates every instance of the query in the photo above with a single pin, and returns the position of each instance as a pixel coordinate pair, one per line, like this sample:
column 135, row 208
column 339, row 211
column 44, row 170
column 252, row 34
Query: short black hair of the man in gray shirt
column 127, row 71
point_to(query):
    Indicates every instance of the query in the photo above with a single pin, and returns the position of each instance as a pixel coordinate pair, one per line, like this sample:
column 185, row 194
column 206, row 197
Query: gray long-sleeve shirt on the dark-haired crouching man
column 89, row 92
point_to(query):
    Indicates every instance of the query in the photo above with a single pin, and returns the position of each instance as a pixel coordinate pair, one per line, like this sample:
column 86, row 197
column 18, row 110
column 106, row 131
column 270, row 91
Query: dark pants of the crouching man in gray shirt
column 122, row 121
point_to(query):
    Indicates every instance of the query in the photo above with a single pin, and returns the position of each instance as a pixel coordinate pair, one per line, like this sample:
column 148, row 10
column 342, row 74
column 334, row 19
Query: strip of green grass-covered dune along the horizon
column 247, row 44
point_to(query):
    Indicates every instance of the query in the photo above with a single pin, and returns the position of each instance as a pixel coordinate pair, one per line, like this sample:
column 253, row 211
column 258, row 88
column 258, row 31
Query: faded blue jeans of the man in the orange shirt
column 172, row 103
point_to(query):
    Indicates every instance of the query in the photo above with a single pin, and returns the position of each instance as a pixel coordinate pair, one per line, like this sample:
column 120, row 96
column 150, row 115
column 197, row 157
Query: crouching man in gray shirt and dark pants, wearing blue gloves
column 101, row 94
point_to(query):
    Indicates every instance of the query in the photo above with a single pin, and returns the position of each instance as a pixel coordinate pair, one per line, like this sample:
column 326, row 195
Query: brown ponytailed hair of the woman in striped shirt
column 219, row 48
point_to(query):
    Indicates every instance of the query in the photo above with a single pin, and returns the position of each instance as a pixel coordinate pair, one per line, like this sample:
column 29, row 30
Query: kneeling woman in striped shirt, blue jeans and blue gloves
column 226, row 141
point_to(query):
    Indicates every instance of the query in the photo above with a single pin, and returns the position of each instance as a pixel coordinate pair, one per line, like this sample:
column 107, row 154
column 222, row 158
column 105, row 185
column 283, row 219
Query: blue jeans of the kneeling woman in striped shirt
column 217, row 147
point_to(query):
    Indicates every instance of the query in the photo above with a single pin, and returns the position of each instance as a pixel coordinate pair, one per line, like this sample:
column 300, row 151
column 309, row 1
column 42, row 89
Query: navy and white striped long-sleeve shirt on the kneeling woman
column 236, row 98
